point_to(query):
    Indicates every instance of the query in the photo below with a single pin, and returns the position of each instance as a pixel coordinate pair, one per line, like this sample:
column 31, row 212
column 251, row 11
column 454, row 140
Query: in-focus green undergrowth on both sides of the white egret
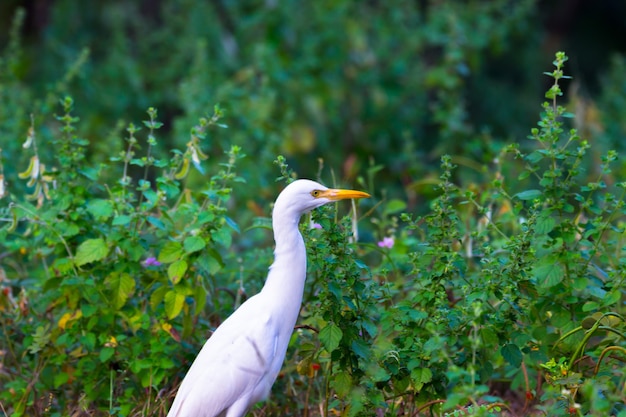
column 505, row 298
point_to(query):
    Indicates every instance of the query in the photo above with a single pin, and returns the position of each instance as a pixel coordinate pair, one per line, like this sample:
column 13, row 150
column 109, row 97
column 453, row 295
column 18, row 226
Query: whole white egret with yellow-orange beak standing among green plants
column 239, row 363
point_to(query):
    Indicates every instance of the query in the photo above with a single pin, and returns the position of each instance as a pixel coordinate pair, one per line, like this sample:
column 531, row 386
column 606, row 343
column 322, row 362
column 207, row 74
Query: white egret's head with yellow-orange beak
column 302, row 196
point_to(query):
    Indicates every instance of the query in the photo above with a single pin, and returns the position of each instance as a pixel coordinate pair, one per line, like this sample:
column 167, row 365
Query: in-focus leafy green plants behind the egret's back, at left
column 112, row 270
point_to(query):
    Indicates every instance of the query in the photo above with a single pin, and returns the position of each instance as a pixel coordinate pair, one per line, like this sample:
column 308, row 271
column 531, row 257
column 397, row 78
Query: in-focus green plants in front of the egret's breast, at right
column 505, row 299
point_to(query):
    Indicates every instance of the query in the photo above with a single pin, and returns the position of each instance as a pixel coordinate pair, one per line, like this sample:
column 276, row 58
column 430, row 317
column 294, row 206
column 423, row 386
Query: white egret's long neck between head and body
column 287, row 274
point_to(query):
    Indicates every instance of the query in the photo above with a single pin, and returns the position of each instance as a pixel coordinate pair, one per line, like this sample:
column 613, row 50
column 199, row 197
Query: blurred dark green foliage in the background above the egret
column 344, row 80
